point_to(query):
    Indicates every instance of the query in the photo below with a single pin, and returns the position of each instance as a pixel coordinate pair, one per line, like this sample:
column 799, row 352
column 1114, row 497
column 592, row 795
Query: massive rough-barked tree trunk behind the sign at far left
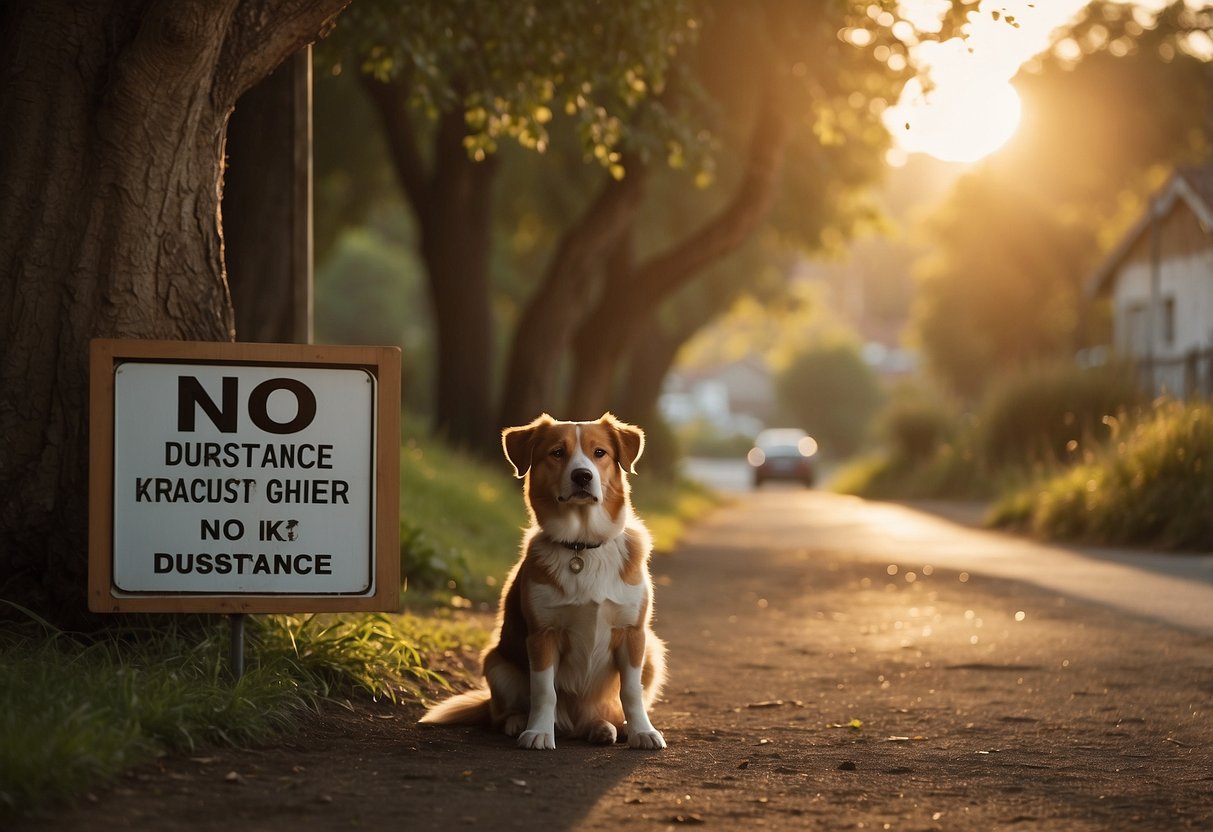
column 112, row 121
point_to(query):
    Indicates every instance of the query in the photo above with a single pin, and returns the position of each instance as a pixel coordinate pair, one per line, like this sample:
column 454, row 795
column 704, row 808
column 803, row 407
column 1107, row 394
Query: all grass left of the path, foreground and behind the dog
column 76, row 711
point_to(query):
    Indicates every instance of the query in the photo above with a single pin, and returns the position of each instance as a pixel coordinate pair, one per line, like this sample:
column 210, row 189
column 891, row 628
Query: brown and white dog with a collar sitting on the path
column 574, row 654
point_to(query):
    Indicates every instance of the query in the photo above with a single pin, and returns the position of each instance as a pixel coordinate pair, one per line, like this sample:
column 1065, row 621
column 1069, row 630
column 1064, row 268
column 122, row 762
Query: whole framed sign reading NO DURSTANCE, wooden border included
column 243, row 478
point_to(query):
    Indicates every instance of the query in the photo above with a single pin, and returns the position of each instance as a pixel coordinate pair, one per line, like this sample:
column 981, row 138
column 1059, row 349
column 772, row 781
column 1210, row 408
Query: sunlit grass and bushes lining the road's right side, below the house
column 1063, row 455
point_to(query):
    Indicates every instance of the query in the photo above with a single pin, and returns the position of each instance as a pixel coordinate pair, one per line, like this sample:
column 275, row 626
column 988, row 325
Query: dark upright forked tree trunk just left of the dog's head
column 453, row 203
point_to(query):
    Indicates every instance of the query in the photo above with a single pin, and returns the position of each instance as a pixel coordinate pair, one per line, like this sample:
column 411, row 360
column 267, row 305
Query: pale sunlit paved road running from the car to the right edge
column 1175, row 589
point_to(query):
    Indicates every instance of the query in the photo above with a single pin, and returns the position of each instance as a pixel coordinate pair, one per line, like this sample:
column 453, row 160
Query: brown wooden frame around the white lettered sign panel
column 384, row 363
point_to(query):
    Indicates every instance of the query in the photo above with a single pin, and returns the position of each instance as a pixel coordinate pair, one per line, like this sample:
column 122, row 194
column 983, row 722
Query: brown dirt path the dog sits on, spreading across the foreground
column 810, row 691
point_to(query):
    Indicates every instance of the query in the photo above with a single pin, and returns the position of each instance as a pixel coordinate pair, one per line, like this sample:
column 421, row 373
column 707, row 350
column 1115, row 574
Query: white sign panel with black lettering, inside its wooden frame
column 236, row 480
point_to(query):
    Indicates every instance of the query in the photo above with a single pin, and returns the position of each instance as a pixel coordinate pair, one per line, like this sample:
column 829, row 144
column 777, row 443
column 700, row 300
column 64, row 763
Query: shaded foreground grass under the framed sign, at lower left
column 77, row 711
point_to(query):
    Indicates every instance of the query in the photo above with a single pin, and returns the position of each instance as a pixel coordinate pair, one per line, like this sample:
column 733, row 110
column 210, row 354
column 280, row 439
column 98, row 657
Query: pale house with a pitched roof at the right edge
column 1160, row 283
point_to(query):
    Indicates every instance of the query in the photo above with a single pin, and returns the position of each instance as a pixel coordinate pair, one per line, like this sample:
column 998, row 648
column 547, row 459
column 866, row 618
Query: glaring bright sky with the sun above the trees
column 973, row 109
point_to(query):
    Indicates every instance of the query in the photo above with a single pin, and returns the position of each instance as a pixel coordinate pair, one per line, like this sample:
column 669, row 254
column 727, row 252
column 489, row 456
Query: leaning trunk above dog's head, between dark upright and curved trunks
column 550, row 322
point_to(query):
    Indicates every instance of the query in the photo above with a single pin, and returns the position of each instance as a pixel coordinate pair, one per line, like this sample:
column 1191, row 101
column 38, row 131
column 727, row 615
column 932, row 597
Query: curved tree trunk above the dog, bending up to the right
column 600, row 349
